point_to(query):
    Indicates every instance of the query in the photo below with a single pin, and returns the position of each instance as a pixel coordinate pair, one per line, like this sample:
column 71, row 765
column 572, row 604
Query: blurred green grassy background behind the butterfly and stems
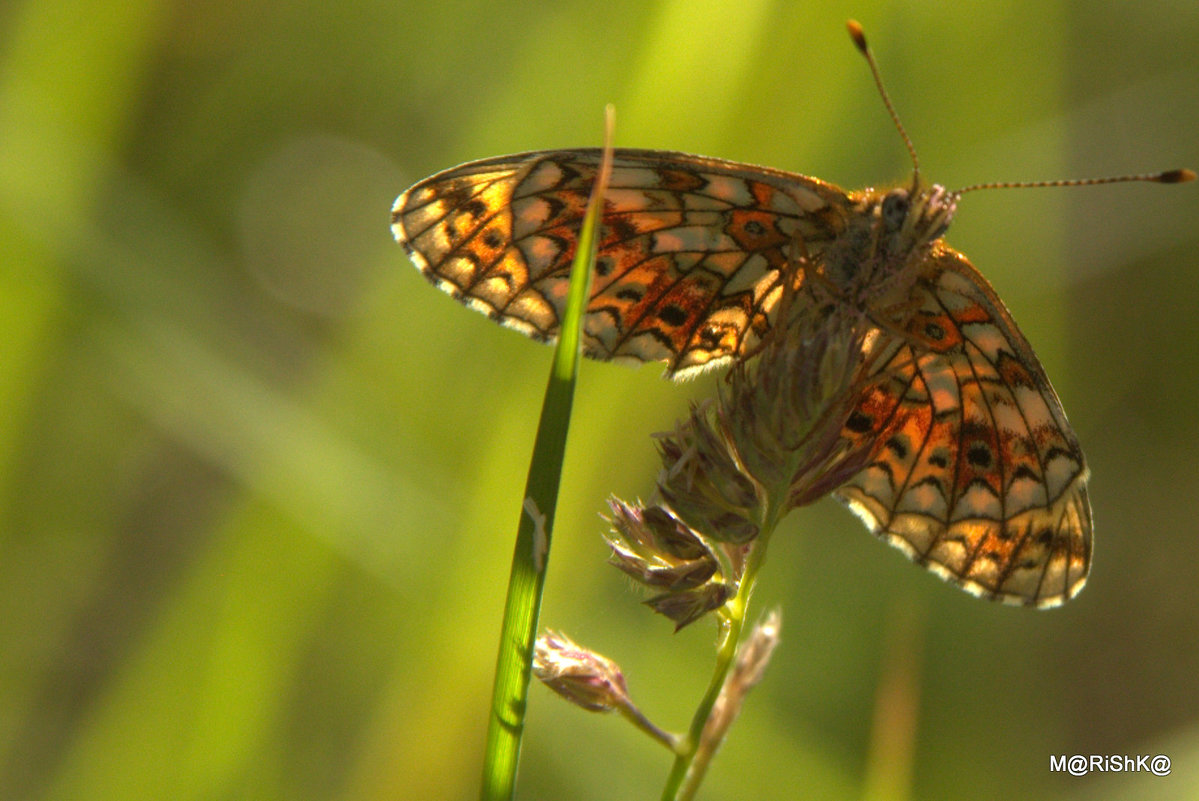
column 260, row 481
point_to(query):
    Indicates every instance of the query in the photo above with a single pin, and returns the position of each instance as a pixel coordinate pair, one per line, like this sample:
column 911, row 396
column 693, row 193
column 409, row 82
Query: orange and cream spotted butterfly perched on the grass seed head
column 977, row 474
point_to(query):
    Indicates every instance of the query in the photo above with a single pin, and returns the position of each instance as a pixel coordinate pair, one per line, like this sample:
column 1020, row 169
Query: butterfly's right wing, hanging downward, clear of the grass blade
column 977, row 475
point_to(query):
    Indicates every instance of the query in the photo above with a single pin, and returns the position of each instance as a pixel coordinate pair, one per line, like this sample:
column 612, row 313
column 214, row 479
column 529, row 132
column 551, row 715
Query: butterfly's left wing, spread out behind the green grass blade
column 691, row 256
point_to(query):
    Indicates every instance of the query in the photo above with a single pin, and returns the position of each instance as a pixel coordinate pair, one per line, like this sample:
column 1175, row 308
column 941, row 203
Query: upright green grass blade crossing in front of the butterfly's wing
column 532, row 553
